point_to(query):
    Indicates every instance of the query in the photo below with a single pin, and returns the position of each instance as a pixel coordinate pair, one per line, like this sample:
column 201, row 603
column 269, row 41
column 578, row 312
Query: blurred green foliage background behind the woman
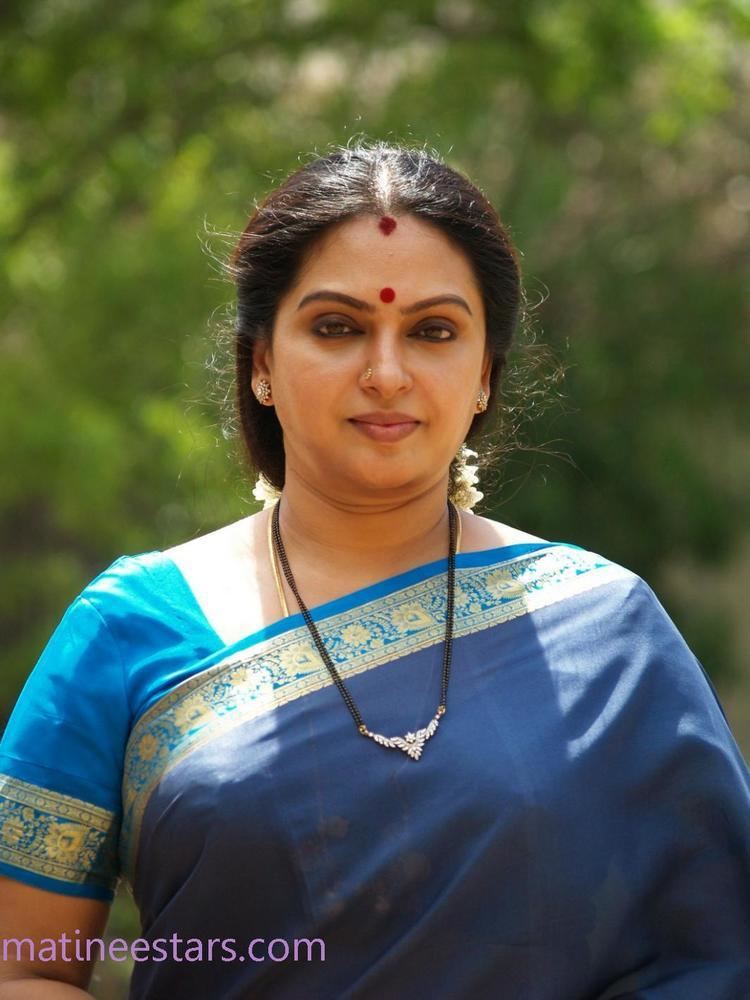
column 614, row 139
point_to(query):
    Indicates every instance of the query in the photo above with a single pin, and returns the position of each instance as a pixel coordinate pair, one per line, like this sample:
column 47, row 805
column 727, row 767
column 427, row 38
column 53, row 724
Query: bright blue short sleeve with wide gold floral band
column 61, row 760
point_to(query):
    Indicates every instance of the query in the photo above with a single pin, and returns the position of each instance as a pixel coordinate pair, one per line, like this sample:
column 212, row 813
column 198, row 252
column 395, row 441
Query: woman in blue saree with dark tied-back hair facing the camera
column 482, row 763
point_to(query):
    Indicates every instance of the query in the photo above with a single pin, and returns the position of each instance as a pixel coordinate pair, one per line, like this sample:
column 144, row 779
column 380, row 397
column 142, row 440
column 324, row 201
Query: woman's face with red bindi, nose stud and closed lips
column 359, row 303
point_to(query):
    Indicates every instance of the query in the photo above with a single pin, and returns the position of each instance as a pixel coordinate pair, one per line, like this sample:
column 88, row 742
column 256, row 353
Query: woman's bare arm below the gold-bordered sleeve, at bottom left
column 36, row 914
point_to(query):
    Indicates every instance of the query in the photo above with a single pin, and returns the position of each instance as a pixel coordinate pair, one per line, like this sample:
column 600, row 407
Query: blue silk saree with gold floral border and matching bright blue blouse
column 578, row 828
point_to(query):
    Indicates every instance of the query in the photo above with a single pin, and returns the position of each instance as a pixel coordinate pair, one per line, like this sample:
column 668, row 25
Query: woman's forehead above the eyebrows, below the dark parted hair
column 415, row 254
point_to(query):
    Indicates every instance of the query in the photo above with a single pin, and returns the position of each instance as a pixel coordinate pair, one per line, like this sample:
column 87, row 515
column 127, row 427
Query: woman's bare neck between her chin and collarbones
column 331, row 533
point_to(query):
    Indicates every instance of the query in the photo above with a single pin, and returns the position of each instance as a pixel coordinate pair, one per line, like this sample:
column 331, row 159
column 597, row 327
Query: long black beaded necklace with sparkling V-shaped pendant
column 412, row 744
